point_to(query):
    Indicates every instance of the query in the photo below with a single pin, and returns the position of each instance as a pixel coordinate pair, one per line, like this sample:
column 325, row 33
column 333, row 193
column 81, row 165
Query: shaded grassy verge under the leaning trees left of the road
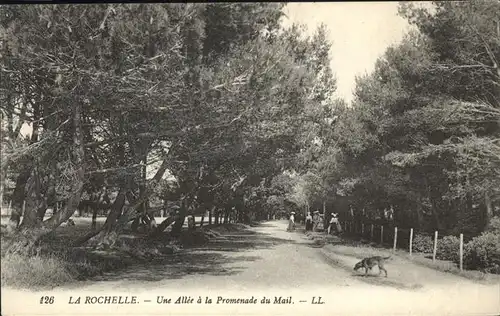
column 56, row 263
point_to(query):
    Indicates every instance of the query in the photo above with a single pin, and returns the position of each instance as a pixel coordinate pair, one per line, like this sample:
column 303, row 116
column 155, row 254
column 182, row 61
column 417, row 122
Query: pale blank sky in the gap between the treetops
column 359, row 32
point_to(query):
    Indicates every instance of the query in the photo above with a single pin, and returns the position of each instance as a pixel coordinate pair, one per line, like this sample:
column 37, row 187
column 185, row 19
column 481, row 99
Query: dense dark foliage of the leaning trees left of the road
column 217, row 96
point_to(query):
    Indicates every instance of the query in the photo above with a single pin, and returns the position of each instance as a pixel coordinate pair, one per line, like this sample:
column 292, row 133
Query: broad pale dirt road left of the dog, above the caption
column 263, row 257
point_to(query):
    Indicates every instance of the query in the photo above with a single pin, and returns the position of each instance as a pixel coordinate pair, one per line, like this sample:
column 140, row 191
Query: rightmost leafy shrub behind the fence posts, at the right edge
column 483, row 253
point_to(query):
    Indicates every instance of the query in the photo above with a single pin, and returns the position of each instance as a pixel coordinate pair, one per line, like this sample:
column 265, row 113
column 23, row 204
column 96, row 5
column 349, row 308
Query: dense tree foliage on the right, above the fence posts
column 423, row 133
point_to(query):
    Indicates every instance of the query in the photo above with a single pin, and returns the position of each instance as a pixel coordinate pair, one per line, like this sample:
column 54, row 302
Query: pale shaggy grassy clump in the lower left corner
column 22, row 271
